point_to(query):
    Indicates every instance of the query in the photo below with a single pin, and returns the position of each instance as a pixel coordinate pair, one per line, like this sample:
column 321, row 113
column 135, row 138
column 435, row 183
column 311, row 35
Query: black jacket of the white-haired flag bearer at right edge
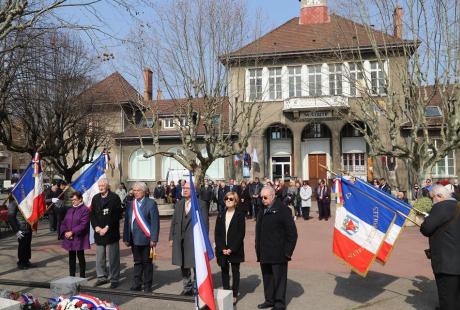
column 444, row 240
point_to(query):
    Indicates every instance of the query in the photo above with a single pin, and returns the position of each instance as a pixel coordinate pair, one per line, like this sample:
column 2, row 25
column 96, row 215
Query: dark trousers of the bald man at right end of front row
column 275, row 281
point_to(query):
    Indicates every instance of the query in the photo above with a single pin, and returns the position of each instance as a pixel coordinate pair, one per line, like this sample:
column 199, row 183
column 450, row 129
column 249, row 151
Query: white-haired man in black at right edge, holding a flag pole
column 442, row 227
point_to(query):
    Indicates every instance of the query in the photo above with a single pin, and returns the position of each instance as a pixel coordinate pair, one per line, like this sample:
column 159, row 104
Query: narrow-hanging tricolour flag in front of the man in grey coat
column 203, row 253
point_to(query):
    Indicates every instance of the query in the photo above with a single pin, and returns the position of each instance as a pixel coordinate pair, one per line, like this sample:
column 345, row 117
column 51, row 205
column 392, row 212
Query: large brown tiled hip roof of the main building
column 292, row 37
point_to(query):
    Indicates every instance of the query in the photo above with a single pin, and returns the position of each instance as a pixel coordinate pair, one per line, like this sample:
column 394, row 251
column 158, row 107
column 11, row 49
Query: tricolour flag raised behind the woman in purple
column 86, row 183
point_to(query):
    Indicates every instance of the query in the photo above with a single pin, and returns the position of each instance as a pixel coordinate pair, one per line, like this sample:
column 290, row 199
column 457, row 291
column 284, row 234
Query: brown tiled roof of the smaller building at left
column 112, row 89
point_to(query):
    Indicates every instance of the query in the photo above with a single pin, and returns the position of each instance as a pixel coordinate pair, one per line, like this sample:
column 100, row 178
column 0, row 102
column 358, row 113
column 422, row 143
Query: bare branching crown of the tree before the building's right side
column 390, row 104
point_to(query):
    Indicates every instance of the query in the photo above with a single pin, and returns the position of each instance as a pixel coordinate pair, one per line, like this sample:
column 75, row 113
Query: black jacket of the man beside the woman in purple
column 106, row 214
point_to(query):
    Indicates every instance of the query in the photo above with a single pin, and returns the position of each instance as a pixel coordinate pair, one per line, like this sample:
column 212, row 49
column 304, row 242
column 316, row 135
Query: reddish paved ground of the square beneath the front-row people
column 317, row 280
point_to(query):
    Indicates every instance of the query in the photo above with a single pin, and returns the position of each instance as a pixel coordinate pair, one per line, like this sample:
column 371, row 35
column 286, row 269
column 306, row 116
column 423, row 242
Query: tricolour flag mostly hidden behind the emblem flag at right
column 395, row 204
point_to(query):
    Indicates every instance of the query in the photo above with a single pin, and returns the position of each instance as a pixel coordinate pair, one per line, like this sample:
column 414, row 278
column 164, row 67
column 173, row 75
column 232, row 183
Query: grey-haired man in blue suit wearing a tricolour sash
column 141, row 230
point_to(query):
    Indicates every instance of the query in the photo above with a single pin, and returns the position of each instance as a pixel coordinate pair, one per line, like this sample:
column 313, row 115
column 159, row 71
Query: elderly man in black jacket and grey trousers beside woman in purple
column 105, row 220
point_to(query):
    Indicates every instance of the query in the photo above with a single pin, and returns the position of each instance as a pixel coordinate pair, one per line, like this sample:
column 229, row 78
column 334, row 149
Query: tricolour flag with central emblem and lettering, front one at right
column 361, row 226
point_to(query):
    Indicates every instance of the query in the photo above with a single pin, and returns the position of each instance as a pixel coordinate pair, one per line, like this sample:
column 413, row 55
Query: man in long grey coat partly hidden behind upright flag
column 181, row 238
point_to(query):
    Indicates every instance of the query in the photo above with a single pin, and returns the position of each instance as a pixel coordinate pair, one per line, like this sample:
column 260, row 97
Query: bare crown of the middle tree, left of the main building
column 187, row 44
